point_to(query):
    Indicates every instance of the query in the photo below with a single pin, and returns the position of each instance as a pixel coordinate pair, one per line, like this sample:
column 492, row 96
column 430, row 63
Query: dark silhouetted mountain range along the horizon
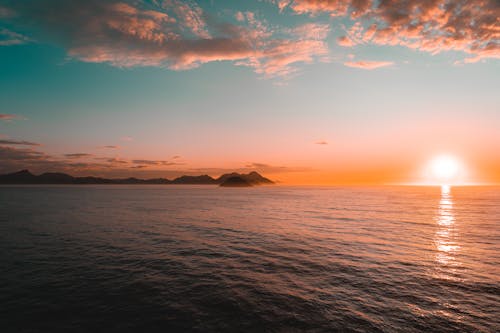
column 26, row 177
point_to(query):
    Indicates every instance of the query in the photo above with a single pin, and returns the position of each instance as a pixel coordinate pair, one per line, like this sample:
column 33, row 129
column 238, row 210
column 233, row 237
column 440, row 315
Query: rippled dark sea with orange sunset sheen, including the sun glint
column 280, row 259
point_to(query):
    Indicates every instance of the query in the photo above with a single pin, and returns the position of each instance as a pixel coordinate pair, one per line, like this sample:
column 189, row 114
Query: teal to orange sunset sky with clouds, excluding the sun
column 303, row 91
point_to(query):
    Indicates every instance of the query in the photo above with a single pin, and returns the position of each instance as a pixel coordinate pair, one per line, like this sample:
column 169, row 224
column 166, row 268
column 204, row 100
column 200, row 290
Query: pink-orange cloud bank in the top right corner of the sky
column 431, row 26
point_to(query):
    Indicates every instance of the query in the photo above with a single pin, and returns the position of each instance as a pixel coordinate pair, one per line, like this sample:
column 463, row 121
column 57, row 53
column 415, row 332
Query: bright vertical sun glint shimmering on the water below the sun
column 446, row 235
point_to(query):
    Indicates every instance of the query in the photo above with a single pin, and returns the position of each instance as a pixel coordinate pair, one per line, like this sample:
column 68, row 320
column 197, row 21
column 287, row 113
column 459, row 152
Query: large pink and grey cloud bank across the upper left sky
column 174, row 34
